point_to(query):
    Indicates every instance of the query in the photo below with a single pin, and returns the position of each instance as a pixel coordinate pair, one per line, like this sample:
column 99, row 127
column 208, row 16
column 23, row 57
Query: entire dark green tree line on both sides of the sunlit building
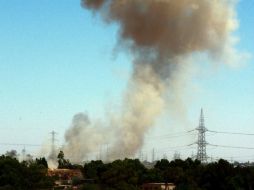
column 128, row 174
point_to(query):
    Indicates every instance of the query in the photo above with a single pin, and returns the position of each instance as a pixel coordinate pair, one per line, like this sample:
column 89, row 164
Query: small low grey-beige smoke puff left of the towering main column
column 84, row 138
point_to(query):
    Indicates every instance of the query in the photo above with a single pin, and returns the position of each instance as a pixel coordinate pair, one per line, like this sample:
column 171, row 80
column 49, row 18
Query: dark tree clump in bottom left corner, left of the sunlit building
column 15, row 175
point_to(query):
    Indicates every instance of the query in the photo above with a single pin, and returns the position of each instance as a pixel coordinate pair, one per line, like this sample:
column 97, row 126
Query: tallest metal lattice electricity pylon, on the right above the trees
column 201, row 154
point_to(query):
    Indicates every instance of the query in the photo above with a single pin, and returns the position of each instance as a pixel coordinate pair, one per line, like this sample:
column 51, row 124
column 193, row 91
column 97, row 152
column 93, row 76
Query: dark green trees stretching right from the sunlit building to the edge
column 187, row 175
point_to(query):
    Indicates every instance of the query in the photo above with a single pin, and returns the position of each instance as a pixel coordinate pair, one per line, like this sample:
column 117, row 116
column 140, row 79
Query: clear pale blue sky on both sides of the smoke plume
column 58, row 59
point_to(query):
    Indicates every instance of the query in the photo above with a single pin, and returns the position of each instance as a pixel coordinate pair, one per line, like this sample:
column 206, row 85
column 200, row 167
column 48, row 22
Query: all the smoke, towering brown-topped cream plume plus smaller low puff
column 160, row 34
